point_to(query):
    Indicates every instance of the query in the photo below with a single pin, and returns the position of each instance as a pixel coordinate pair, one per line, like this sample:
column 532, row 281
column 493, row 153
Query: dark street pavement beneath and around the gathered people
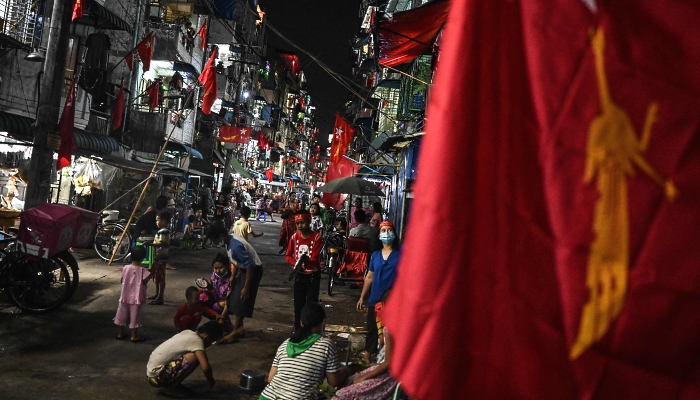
column 71, row 353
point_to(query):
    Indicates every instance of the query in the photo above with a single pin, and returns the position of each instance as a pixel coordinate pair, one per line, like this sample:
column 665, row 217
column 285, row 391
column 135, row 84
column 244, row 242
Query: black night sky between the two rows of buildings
column 324, row 28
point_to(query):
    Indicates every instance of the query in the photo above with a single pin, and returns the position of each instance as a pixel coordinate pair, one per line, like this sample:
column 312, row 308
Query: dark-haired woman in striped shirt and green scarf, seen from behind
column 304, row 360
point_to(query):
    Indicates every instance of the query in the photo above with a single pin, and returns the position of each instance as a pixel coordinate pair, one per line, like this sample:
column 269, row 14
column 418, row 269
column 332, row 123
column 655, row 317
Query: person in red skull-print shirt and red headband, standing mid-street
column 307, row 281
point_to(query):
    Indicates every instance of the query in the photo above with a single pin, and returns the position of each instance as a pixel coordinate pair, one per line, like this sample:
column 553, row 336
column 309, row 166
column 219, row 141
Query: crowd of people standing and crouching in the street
column 305, row 360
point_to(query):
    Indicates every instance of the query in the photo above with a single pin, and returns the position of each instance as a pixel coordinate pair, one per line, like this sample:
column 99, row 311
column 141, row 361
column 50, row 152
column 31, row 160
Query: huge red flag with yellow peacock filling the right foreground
column 571, row 269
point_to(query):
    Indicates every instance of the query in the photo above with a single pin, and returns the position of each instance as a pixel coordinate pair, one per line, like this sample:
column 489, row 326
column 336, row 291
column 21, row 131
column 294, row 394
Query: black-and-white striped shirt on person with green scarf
column 296, row 377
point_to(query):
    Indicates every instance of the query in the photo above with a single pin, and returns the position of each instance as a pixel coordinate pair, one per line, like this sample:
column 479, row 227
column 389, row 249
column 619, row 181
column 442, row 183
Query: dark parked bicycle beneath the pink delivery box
column 33, row 285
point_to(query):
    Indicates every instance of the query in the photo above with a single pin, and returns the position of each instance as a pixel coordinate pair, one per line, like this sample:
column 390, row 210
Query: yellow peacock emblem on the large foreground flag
column 613, row 150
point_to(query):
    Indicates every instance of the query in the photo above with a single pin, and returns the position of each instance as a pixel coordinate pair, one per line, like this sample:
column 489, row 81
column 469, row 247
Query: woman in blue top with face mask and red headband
column 380, row 278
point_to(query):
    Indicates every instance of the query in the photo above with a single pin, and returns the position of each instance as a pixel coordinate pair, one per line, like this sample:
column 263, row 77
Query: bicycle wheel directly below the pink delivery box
column 38, row 286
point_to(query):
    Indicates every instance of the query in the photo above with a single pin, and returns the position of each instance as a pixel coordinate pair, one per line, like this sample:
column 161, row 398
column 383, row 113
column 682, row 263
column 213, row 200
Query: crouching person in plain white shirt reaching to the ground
column 175, row 359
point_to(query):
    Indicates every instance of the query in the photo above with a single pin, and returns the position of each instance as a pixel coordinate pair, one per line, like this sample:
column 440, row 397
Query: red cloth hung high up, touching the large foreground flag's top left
column 410, row 33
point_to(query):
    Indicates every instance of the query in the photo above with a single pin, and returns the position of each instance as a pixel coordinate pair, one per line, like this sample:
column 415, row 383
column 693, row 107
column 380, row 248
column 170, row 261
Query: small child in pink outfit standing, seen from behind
column 134, row 281
